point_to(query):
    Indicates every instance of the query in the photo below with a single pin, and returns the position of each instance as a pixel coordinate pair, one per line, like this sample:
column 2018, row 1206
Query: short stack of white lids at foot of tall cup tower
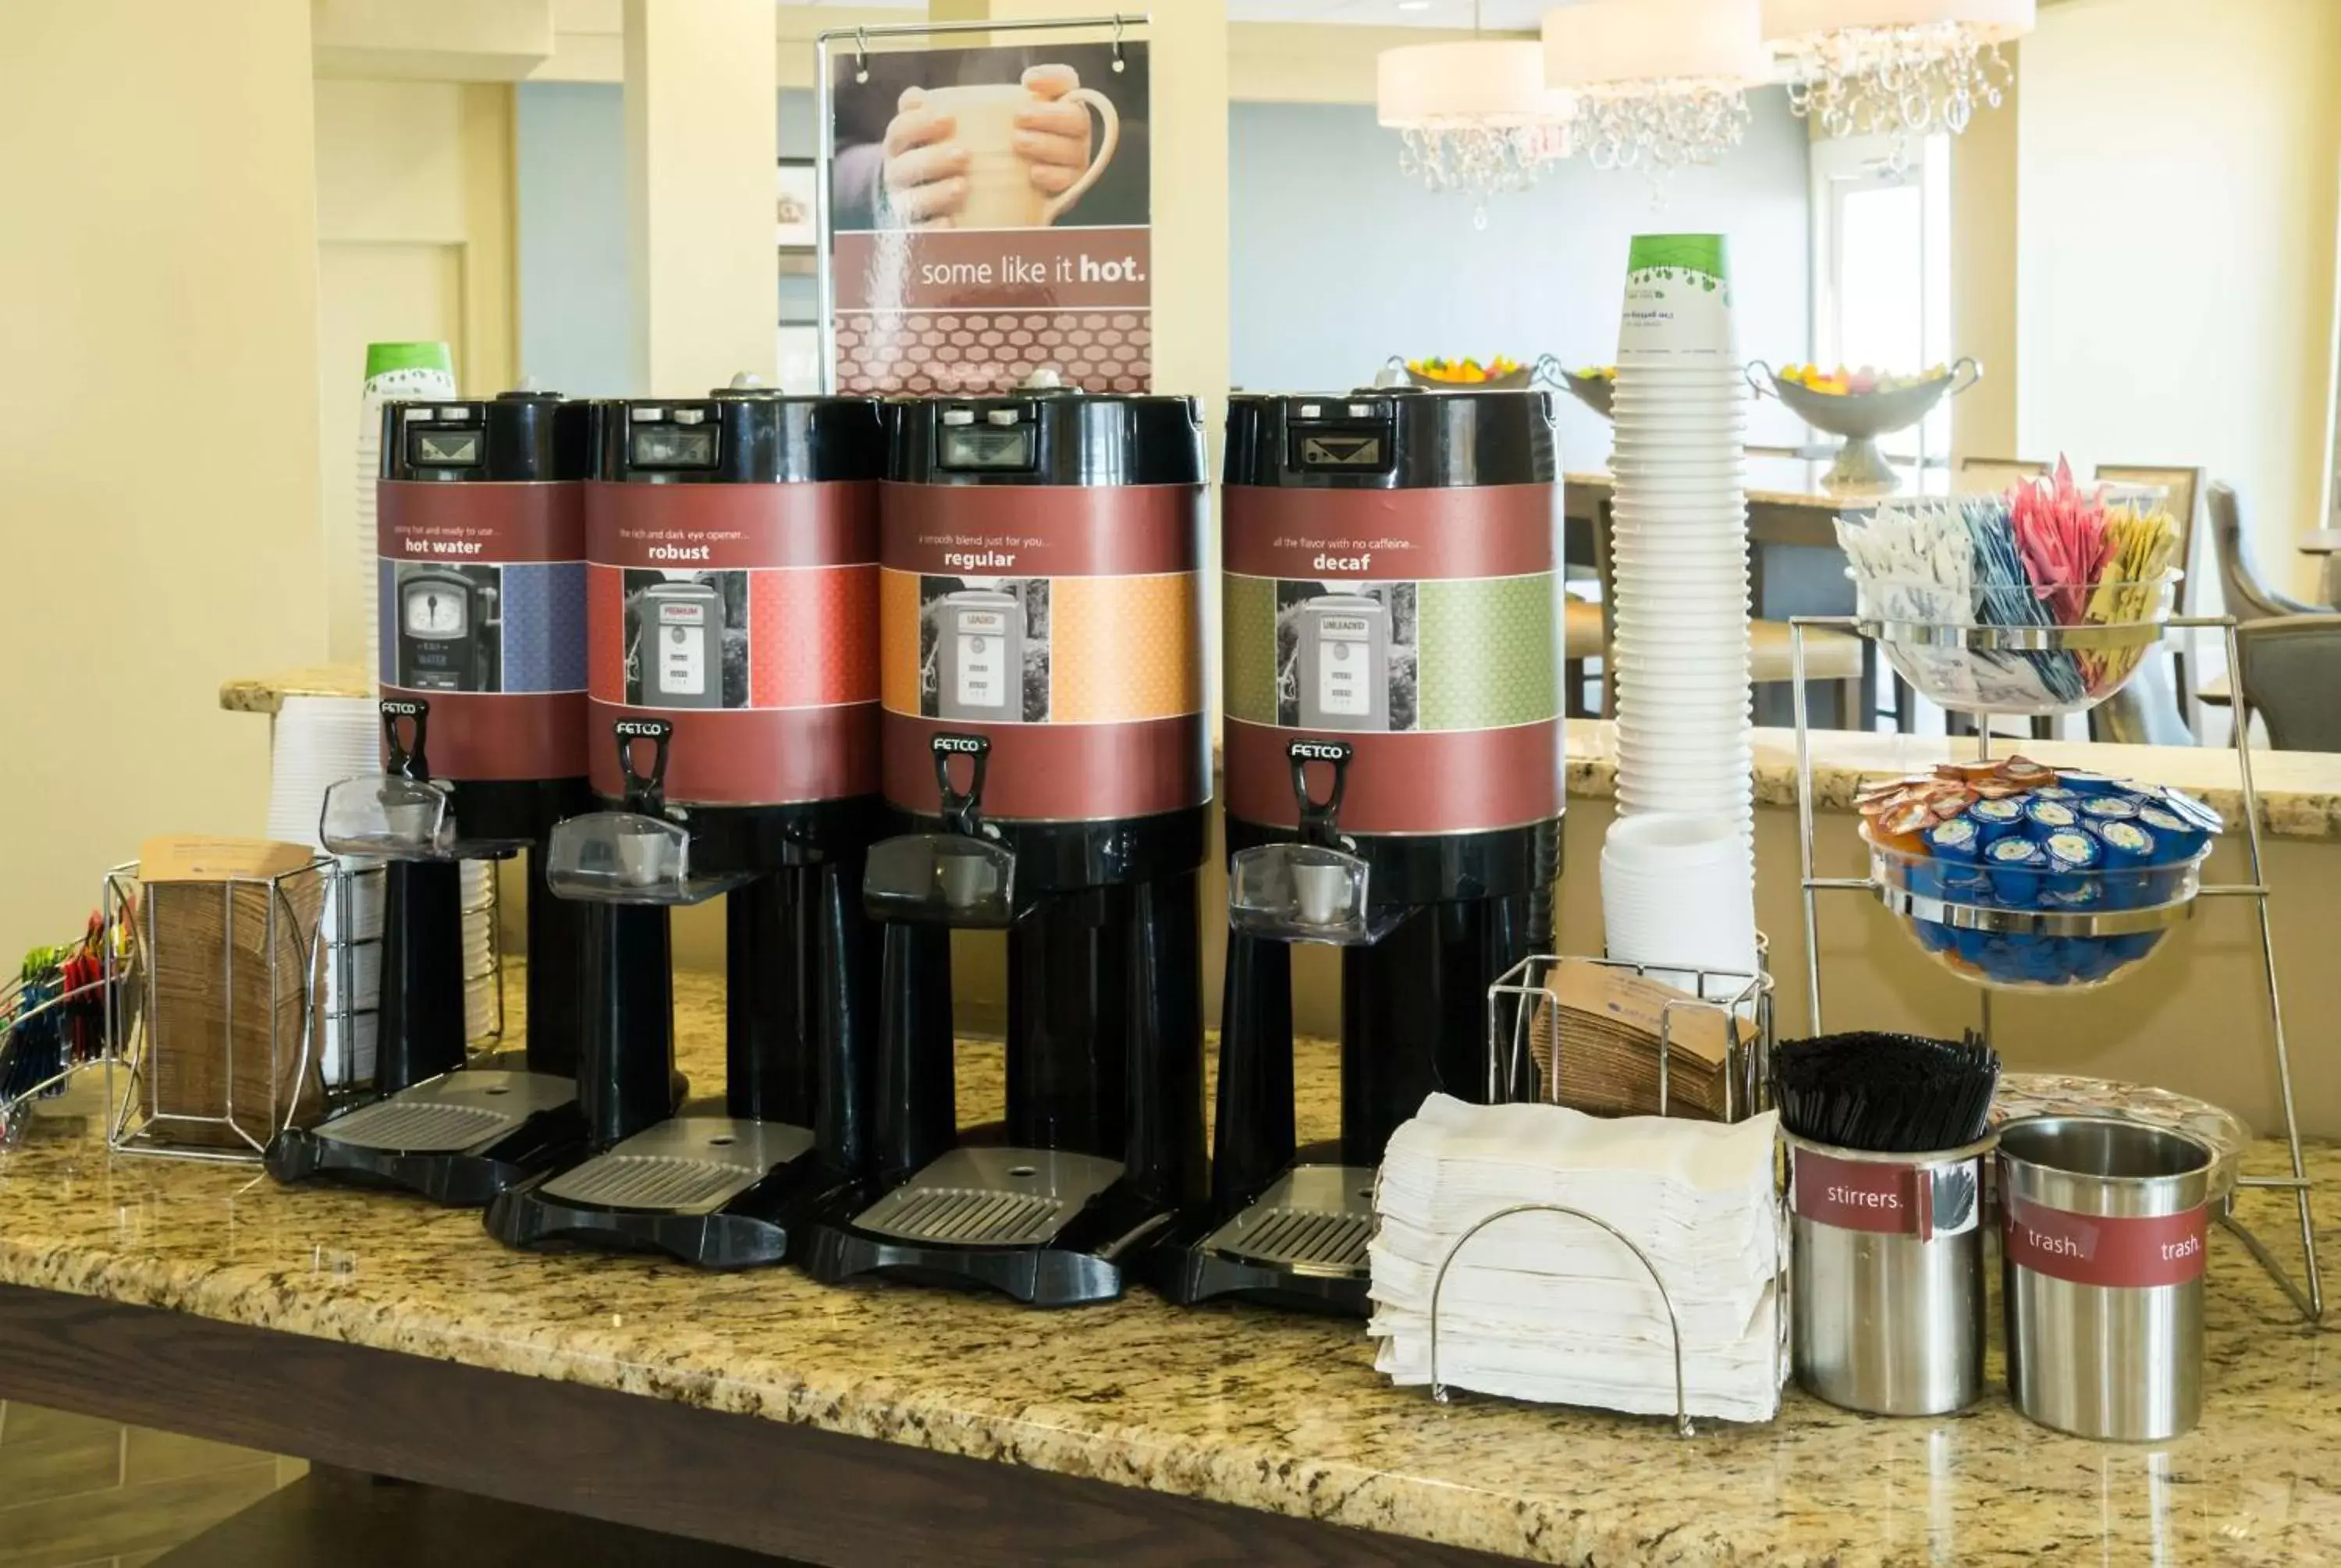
column 1680, row 890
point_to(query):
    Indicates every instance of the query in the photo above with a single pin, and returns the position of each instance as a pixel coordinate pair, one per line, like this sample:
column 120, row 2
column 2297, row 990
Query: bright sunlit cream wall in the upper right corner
column 2178, row 181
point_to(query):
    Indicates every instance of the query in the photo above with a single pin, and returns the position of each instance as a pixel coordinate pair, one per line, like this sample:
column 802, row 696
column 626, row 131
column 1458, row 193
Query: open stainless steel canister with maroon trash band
column 2103, row 1239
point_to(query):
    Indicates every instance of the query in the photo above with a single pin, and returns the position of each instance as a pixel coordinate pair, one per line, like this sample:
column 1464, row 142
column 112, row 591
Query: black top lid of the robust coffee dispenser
column 741, row 434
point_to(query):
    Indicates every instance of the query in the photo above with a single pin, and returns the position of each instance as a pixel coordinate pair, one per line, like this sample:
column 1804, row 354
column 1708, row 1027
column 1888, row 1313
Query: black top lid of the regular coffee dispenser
column 1048, row 434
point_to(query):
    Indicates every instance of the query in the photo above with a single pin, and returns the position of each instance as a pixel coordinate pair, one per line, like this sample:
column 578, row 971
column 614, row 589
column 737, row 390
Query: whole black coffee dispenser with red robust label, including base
column 734, row 621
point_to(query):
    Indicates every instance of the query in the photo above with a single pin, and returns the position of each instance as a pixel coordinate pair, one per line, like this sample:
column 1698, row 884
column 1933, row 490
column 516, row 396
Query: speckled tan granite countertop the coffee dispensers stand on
column 1228, row 1403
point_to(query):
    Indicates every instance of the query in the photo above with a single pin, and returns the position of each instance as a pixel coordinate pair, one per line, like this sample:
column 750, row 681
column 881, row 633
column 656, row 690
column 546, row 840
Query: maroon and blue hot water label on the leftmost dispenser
column 483, row 614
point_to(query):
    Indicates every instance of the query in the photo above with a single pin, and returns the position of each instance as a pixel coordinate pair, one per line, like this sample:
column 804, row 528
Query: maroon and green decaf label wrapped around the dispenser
column 1417, row 624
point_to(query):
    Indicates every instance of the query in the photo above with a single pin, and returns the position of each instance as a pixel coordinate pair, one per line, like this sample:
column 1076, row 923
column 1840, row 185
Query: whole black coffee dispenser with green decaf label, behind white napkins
column 1394, row 788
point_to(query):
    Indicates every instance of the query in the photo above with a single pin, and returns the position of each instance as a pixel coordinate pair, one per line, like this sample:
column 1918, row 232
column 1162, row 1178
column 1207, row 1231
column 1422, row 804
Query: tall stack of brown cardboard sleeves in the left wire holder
column 226, row 991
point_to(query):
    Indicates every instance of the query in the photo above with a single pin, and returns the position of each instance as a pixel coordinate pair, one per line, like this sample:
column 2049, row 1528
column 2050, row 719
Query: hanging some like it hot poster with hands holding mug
column 989, row 216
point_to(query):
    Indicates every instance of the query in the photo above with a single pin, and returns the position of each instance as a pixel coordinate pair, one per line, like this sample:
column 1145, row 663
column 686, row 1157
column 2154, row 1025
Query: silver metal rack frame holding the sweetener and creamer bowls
column 2307, row 1293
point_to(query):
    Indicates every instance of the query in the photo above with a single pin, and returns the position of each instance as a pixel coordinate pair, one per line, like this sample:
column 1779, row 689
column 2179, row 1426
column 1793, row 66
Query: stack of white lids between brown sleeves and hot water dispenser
column 320, row 743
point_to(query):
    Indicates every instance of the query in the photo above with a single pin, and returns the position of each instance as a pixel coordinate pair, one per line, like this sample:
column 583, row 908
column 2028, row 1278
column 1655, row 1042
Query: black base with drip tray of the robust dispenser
column 753, row 1227
